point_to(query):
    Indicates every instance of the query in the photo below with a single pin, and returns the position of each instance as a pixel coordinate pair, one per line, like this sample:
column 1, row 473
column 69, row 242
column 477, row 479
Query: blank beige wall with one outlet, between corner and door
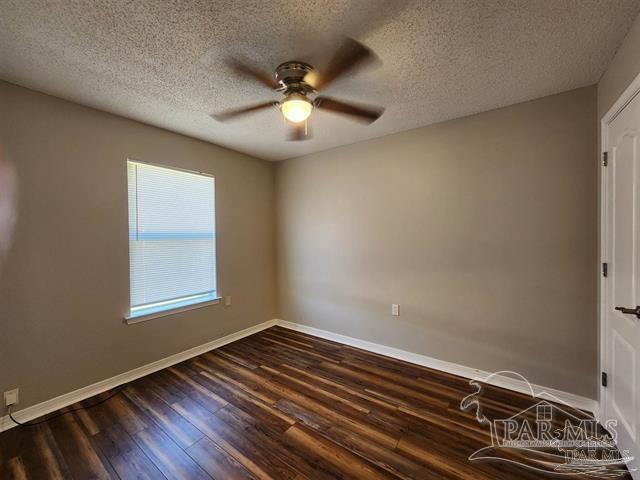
column 483, row 229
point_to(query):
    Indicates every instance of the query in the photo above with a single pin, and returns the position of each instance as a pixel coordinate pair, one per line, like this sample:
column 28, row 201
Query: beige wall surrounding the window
column 64, row 285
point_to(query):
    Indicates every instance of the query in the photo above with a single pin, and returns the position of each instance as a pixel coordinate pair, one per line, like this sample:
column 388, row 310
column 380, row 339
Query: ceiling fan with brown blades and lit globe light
column 299, row 83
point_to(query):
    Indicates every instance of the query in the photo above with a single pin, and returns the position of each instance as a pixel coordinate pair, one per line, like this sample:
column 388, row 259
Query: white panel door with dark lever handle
column 621, row 288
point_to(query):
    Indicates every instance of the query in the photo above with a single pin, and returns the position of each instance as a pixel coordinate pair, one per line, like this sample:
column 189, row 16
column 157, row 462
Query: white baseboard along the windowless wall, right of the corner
column 509, row 383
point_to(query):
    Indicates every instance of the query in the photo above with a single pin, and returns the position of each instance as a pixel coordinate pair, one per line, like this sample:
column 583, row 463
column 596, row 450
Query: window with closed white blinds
column 172, row 239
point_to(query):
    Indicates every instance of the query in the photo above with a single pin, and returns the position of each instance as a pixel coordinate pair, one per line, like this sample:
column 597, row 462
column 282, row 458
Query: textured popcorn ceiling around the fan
column 162, row 62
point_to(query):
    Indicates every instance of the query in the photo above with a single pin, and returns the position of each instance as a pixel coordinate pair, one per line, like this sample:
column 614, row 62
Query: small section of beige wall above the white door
column 624, row 67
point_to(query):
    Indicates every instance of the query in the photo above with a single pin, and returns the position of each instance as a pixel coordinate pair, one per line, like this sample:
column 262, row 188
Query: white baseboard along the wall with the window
column 83, row 393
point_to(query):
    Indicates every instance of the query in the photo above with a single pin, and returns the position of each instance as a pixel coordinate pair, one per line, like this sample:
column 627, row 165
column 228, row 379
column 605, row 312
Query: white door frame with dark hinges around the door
column 627, row 96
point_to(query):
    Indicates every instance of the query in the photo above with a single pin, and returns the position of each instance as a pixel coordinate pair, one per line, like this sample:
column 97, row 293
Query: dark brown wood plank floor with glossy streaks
column 277, row 405
